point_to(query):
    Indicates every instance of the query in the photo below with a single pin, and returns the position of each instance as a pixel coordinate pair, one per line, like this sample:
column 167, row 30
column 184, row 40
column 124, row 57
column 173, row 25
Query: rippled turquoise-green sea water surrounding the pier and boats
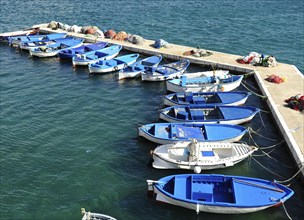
column 69, row 140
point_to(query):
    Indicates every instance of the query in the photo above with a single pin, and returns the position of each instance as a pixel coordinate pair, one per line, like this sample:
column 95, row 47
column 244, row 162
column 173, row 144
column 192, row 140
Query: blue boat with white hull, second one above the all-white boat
column 224, row 114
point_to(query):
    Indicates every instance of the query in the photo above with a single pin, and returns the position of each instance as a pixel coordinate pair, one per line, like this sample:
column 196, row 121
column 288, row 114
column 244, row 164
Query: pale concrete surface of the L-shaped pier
column 289, row 121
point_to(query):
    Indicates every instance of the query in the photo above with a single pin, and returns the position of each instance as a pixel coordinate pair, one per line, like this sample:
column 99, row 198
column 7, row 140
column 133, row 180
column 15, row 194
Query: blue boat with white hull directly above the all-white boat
column 168, row 133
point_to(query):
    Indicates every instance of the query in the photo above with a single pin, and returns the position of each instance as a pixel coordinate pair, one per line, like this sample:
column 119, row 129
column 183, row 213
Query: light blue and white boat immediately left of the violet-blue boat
column 53, row 49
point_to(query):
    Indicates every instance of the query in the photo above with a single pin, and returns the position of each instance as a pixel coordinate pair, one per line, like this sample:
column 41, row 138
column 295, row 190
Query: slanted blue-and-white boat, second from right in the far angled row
column 138, row 67
